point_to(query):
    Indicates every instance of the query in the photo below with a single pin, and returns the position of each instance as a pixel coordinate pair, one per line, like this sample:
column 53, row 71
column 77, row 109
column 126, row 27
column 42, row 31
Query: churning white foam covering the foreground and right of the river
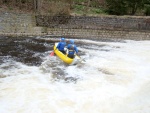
column 115, row 81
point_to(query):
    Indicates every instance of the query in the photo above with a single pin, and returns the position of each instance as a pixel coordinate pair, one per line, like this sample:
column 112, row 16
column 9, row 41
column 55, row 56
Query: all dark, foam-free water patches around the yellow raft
column 31, row 51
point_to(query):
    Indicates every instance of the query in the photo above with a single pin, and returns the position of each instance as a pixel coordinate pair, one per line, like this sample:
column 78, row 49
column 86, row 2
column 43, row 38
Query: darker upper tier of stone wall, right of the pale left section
column 91, row 22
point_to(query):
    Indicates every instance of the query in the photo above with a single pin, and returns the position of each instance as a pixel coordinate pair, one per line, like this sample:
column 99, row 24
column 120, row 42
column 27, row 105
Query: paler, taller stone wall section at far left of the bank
column 19, row 24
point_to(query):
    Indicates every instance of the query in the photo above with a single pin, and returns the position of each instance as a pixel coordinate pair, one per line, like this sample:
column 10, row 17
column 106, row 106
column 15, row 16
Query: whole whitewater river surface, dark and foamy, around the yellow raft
column 114, row 79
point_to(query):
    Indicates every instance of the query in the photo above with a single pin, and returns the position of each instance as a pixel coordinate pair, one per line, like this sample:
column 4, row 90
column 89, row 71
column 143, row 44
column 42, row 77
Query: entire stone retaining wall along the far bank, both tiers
column 76, row 26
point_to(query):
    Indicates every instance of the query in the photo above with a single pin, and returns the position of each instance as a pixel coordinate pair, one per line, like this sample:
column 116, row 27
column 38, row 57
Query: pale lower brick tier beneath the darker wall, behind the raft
column 90, row 33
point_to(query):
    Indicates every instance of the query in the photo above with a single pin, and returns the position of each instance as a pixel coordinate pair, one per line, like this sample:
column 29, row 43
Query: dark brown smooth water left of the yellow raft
column 27, row 50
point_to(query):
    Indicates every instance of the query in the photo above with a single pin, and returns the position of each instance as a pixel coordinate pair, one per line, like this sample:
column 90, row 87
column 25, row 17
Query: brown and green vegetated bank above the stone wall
column 82, row 7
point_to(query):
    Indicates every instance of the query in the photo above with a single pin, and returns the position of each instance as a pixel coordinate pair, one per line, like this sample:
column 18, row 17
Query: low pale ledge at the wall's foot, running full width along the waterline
column 86, row 33
